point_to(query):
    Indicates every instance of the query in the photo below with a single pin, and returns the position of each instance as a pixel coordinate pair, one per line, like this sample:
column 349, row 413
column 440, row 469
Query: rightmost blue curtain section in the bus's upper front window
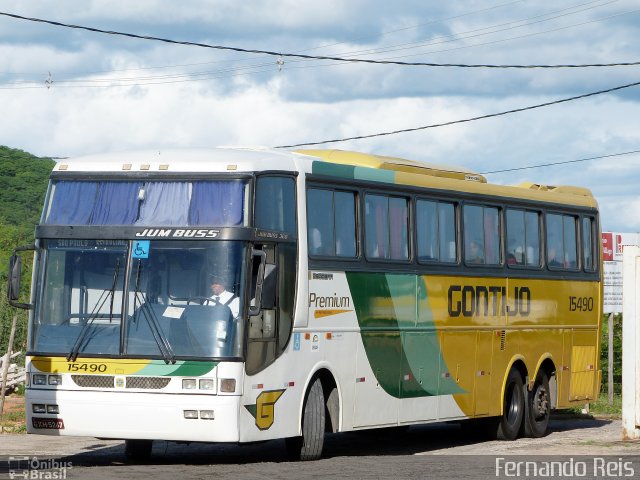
column 216, row 203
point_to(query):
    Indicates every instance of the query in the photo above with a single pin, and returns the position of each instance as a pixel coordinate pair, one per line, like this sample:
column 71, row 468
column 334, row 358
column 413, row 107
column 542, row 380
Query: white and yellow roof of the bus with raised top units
column 338, row 163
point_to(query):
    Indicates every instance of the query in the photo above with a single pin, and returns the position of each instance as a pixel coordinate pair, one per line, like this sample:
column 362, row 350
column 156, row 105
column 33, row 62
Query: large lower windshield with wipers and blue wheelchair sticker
column 183, row 298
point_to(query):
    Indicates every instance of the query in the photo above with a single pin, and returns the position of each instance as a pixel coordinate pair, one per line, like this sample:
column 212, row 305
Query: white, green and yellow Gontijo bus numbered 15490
column 369, row 292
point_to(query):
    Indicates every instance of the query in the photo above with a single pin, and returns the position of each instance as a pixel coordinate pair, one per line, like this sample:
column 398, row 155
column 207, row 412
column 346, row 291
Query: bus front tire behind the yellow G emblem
column 309, row 445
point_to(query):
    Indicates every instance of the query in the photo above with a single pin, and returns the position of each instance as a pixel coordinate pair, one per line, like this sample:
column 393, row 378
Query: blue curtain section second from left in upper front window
column 116, row 204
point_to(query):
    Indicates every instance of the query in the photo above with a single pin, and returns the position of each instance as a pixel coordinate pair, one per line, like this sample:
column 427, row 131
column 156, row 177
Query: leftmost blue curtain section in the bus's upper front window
column 72, row 203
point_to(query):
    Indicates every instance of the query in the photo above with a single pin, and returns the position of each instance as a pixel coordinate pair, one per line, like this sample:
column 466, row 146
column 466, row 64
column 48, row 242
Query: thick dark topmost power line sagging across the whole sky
column 308, row 57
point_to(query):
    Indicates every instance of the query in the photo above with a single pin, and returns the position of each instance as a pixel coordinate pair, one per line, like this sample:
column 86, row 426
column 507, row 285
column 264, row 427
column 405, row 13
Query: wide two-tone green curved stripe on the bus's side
column 400, row 340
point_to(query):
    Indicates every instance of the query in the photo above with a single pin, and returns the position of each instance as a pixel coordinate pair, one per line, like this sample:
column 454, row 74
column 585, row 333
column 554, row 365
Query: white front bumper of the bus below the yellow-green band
column 128, row 415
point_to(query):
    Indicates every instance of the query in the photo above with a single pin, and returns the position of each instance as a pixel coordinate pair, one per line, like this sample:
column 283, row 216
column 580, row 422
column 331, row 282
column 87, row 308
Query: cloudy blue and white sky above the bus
column 67, row 92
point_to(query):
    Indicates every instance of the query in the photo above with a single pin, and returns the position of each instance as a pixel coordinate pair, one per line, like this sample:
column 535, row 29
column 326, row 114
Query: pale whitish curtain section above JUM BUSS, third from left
column 165, row 203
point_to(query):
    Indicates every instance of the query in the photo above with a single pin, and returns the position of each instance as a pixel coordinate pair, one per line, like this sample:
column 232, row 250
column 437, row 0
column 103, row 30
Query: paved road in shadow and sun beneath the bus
column 430, row 451
